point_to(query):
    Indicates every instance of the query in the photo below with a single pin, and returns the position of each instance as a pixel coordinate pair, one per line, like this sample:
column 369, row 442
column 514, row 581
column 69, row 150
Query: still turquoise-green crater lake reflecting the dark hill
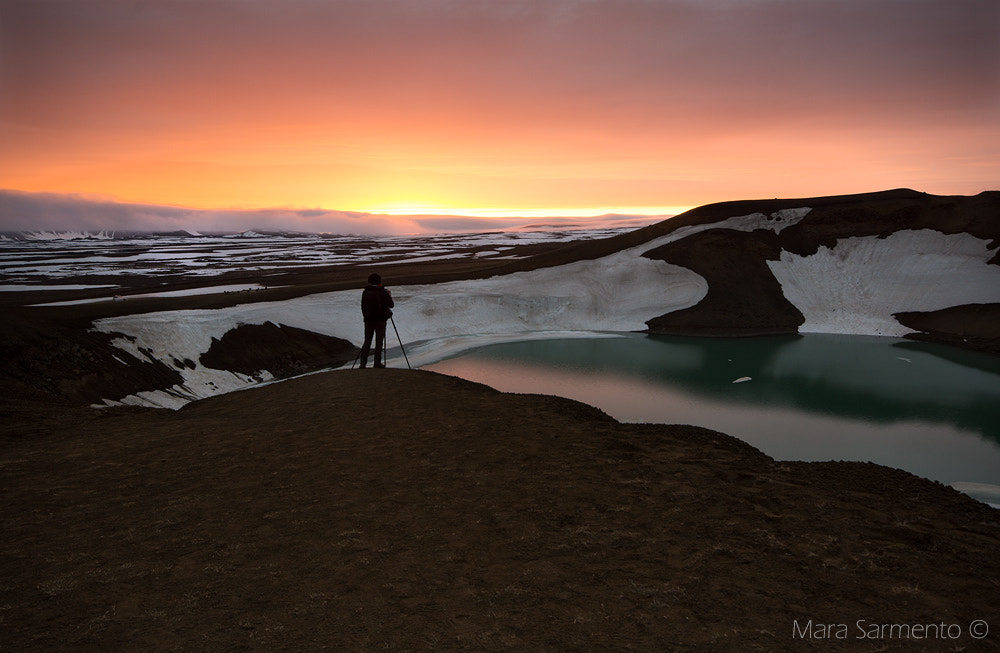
column 928, row 409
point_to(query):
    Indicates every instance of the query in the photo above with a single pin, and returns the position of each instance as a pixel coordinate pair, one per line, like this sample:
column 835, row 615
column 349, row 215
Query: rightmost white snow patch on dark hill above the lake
column 855, row 287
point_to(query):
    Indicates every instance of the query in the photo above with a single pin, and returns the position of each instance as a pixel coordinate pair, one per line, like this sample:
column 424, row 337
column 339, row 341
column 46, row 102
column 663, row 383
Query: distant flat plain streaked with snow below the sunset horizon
column 36, row 260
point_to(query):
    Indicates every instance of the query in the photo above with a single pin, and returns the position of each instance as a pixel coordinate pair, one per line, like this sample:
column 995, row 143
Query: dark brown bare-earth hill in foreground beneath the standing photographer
column 451, row 517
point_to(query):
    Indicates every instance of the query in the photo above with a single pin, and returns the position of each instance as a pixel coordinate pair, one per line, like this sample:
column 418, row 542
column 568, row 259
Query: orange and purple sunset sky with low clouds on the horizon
column 186, row 113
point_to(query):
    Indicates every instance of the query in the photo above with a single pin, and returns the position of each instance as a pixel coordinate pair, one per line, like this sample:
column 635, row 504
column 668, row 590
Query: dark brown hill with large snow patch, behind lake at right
column 850, row 266
